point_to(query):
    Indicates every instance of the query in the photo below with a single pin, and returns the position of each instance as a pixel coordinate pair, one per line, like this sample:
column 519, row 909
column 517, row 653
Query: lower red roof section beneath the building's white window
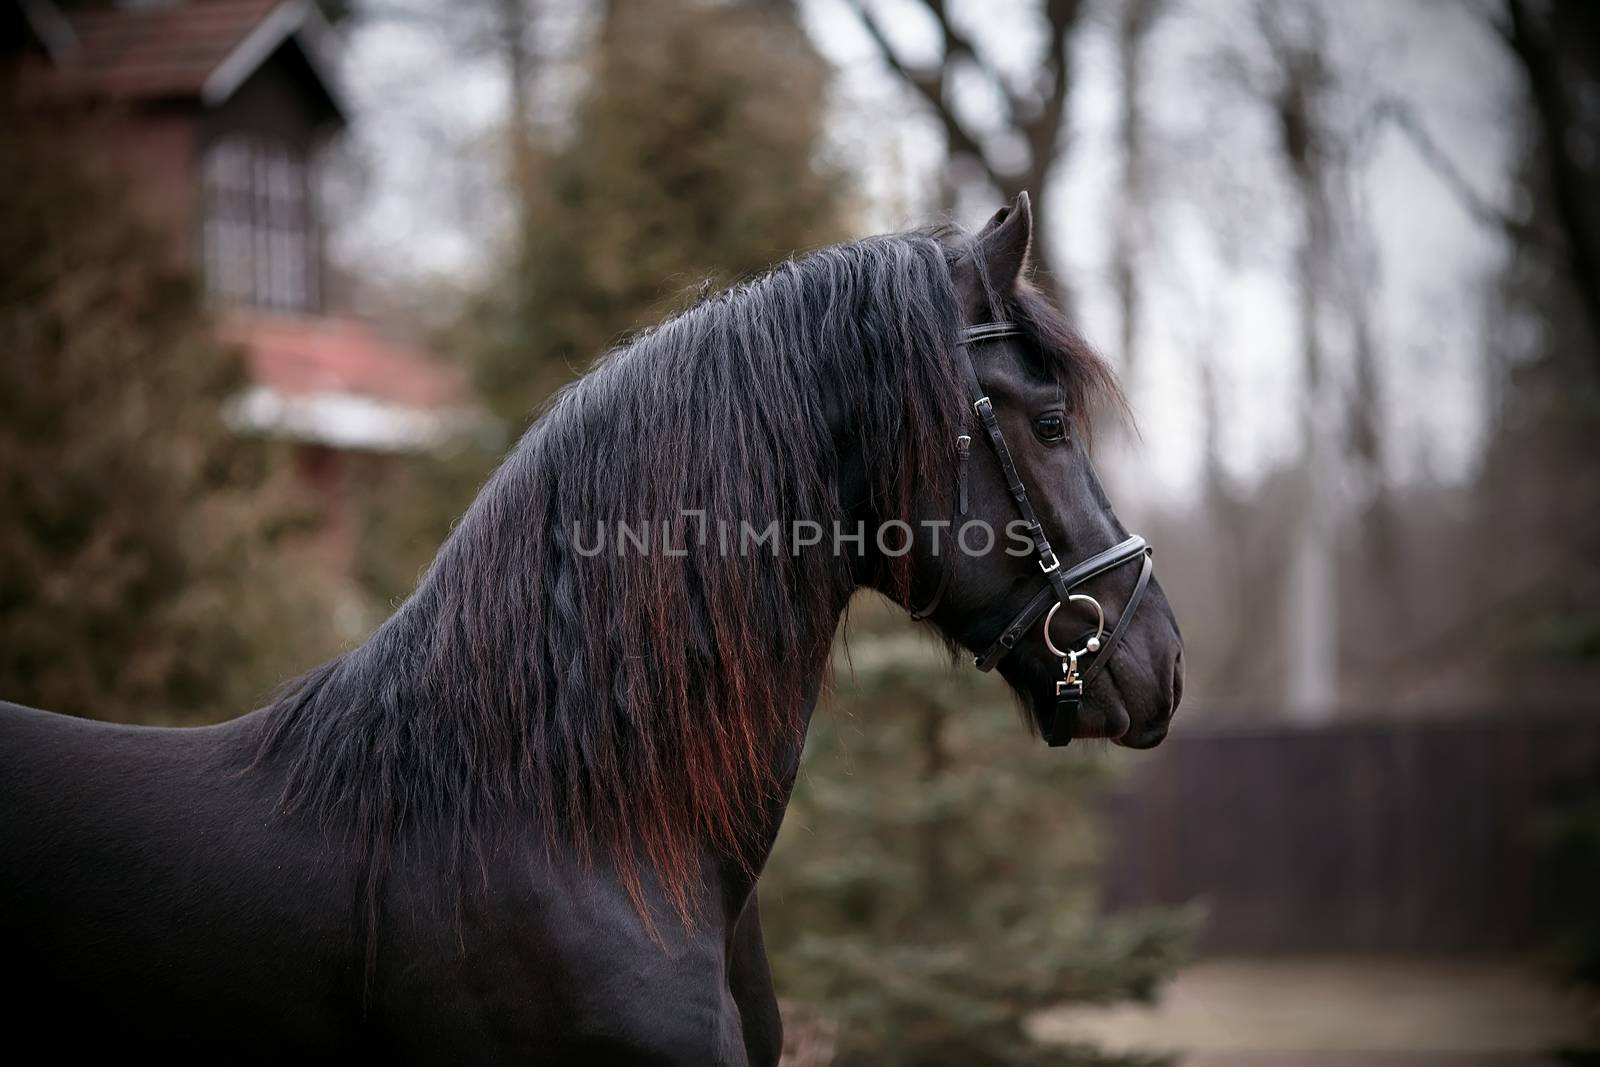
column 300, row 358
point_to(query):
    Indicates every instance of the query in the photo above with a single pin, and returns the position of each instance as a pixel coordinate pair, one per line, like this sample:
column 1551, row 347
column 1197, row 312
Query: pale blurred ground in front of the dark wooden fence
column 1354, row 1012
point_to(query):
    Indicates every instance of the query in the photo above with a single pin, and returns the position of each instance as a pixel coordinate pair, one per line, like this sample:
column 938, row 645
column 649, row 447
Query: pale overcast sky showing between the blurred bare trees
column 428, row 113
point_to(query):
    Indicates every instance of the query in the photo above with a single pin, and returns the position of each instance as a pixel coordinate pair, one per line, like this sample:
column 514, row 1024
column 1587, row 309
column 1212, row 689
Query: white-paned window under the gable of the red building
column 260, row 242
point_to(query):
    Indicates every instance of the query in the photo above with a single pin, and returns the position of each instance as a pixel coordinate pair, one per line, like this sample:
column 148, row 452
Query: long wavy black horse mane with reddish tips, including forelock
column 633, row 698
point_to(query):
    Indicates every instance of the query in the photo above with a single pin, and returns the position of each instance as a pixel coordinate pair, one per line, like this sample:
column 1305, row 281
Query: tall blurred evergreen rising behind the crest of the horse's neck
column 695, row 159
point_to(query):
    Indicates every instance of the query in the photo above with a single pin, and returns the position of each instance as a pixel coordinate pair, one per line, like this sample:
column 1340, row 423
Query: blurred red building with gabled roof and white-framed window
column 217, row 113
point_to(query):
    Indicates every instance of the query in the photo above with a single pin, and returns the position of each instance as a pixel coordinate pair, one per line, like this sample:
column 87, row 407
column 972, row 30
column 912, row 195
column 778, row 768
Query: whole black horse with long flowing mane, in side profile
column 526, row 820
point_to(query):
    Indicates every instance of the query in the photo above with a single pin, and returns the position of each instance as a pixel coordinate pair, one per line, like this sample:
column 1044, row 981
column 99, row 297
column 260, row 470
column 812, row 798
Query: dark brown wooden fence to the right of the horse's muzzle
column 1358, row 837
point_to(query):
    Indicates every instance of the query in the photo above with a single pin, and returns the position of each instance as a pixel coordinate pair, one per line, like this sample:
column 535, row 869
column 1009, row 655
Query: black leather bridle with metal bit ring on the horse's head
column 1049, row 601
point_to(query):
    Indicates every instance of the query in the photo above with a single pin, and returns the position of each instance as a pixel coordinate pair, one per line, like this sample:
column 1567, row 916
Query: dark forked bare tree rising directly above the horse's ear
column 1034, row 113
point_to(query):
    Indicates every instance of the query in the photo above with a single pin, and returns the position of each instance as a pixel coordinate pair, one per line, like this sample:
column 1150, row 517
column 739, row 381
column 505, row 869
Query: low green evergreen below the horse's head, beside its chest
column 935, row 881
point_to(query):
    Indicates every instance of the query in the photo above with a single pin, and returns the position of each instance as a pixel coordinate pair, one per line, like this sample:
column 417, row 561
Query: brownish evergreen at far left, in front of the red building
column 138, row 577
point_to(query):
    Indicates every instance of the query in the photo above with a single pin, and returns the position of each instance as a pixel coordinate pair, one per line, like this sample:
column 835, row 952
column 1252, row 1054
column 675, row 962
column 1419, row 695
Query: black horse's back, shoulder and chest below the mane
column 220, row 929
